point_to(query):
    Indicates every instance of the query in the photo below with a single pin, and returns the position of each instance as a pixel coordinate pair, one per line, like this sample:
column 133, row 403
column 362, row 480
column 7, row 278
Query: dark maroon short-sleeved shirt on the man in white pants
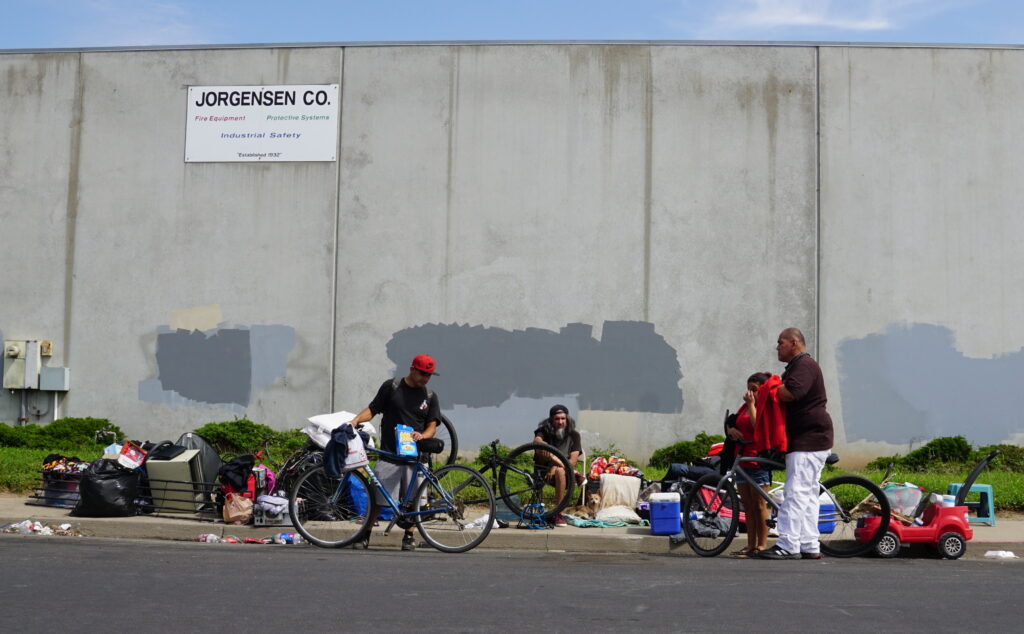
column 808, row 427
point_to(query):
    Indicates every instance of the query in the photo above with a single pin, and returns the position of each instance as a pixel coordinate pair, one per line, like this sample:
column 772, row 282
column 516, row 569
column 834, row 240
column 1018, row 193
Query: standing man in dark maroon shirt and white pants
column 809, row 433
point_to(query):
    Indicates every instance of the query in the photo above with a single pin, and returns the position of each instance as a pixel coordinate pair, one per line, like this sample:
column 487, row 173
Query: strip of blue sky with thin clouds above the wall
column 63, row 24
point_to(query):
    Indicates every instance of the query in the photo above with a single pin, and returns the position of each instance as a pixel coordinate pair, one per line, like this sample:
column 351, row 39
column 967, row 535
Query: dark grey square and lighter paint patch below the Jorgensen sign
column 218, row 367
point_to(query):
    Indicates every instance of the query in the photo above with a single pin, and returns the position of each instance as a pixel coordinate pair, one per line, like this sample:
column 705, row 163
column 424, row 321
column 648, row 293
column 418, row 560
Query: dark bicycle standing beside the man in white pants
column 711, row 511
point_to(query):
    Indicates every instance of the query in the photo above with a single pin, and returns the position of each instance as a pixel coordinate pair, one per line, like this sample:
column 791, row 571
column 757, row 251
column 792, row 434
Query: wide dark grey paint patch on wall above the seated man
column 631, row 369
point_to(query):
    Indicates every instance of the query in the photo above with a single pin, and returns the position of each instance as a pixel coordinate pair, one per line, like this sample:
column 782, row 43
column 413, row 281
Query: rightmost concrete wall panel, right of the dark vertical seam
column 921, row 219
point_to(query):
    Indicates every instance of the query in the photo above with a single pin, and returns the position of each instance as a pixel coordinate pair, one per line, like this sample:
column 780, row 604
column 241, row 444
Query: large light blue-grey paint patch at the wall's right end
column 911, row 384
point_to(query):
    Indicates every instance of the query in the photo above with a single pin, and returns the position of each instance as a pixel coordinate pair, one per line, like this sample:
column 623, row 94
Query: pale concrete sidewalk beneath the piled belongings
column 1007, row 535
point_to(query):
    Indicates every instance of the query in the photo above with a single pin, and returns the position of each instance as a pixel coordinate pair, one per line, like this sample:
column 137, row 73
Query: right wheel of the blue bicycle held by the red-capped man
column 457, row 527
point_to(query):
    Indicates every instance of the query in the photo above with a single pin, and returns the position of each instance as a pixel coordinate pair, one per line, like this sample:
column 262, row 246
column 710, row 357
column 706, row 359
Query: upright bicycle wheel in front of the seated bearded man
column 528, row 476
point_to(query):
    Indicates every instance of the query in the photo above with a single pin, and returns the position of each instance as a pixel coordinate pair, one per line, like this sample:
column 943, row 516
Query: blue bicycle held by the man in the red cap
column 334, row 513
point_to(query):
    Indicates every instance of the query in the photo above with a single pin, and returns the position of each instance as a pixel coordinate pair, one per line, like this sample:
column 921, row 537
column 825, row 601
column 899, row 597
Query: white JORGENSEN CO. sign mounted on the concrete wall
column 262, row 123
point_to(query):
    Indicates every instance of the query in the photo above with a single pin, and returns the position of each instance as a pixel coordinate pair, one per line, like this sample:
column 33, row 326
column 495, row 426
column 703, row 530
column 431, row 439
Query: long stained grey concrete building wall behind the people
column 621, row 229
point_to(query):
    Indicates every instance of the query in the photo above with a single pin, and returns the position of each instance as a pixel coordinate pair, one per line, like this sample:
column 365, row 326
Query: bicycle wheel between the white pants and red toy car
column 850, row 500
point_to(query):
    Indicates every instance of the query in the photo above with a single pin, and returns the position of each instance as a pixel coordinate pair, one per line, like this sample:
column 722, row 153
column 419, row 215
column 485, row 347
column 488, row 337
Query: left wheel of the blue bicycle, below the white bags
column 331, row 513
